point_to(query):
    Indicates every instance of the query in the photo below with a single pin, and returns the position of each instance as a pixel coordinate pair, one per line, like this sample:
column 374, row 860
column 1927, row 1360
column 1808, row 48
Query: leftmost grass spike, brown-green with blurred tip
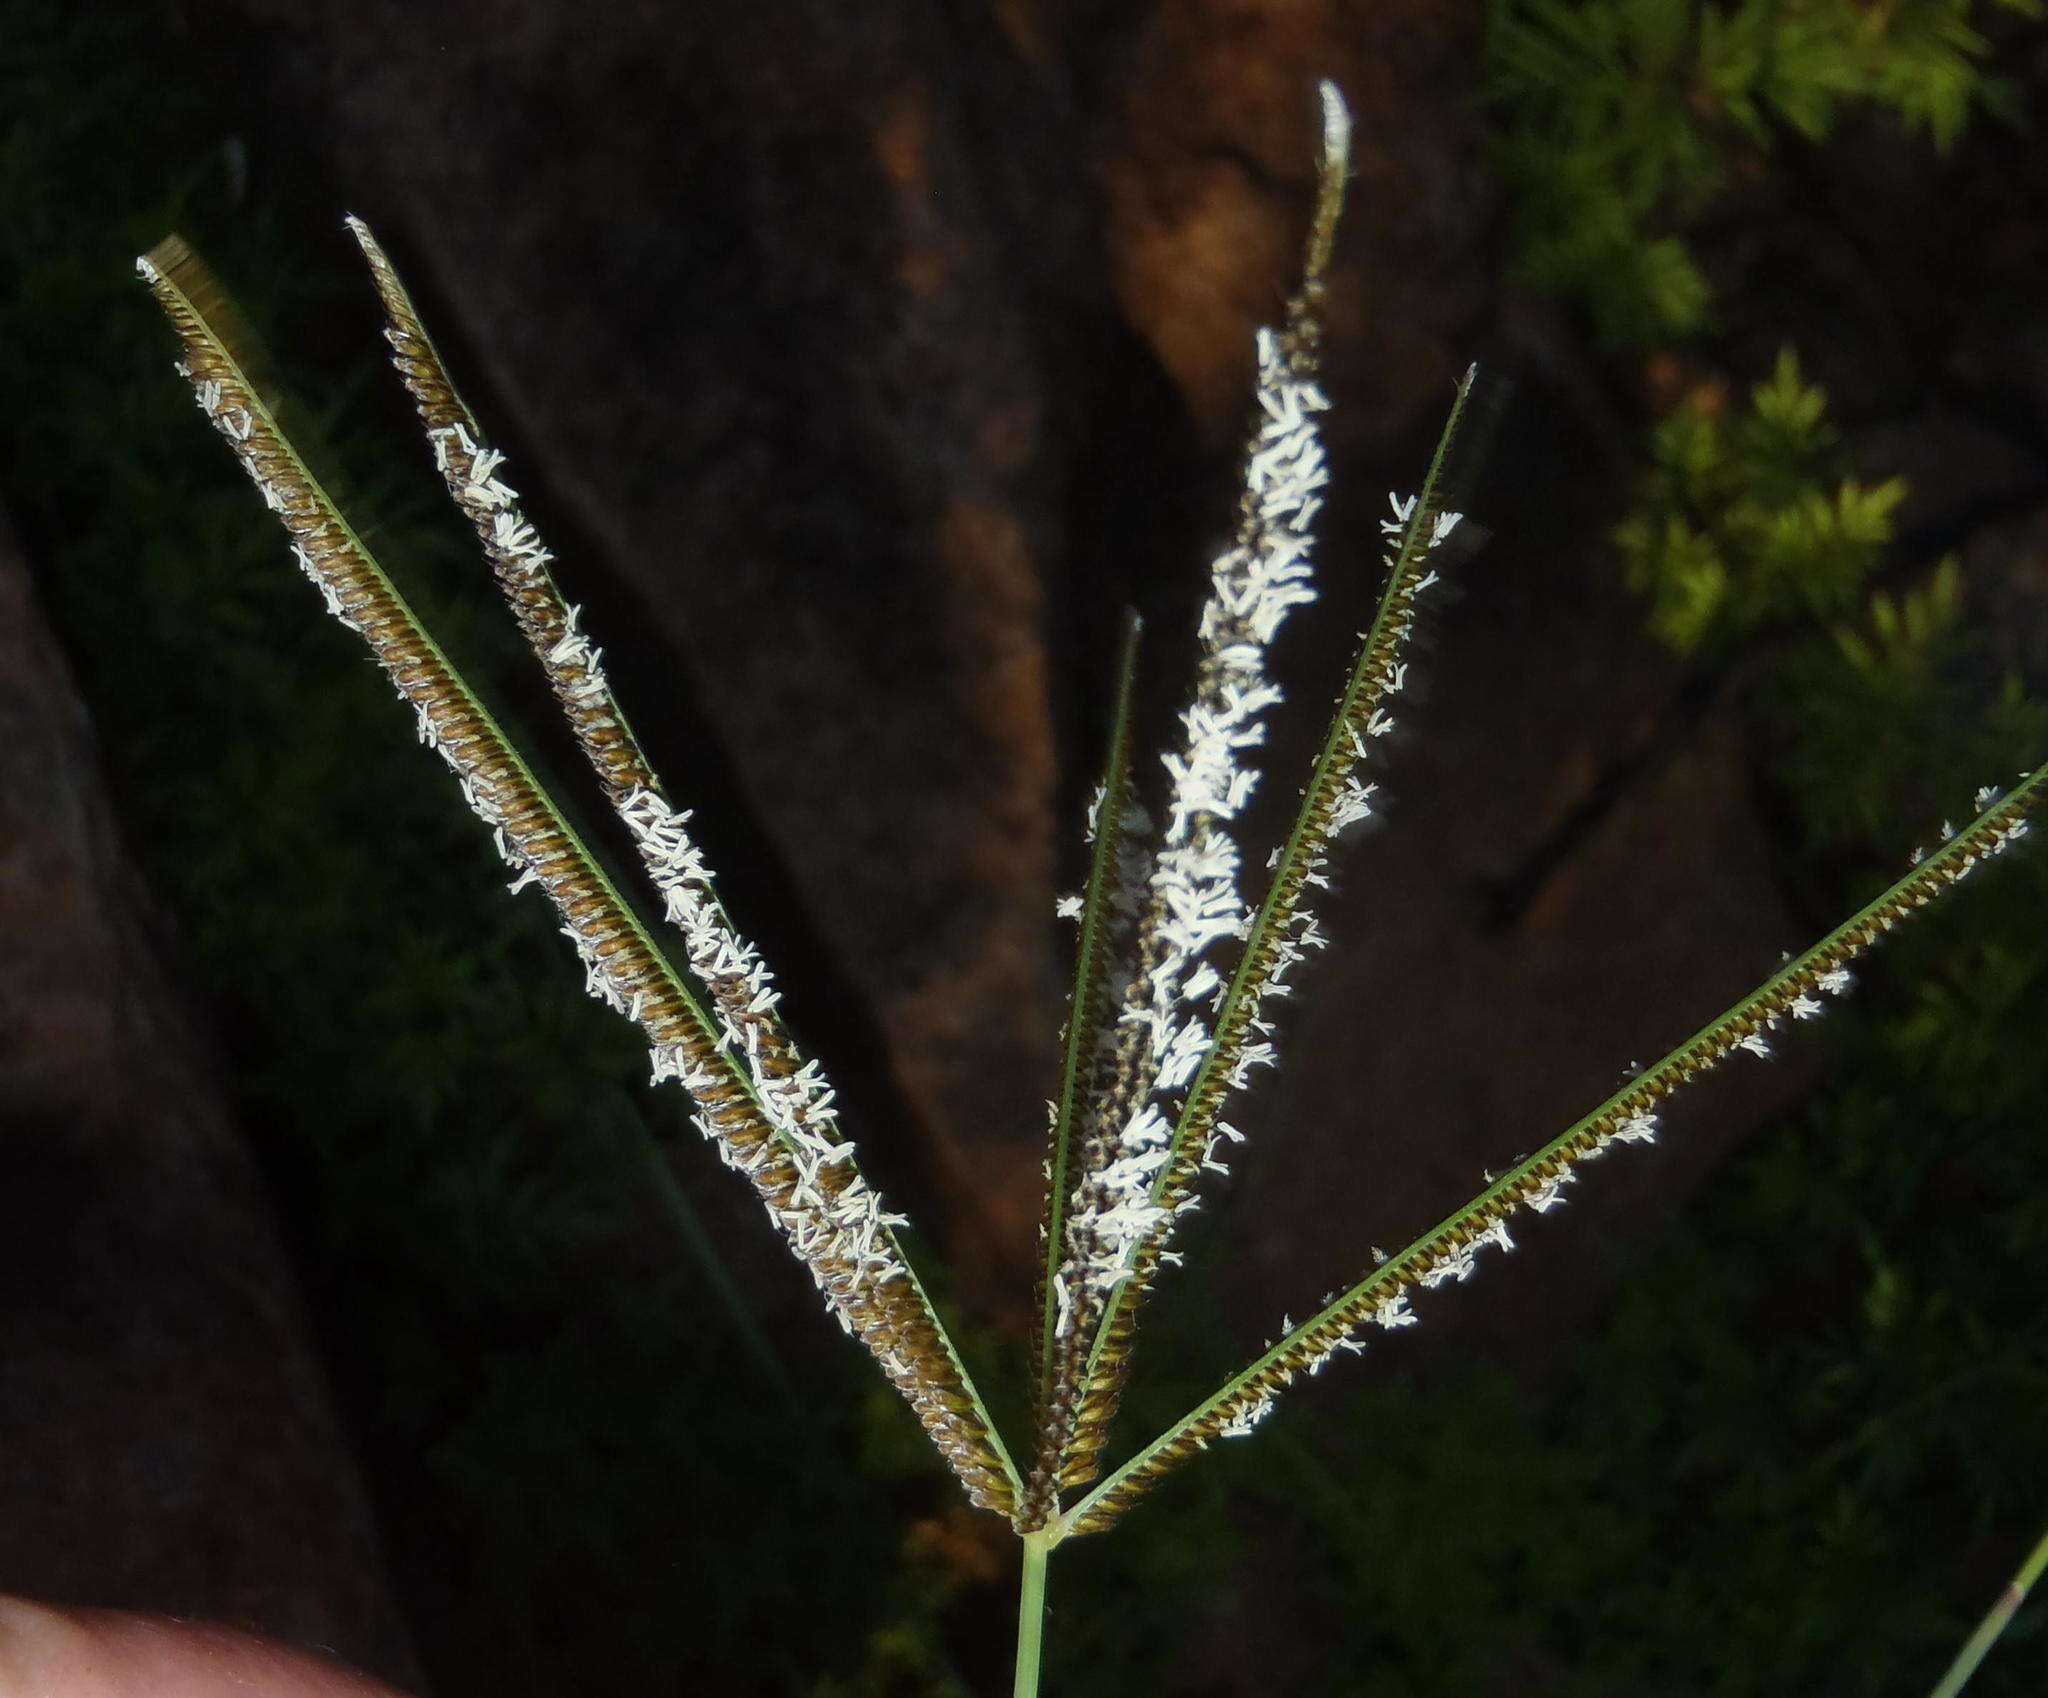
column 826, row 1212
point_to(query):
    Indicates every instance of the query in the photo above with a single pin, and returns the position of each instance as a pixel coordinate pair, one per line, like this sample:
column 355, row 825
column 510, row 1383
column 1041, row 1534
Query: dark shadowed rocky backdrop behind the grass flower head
column 863, row 366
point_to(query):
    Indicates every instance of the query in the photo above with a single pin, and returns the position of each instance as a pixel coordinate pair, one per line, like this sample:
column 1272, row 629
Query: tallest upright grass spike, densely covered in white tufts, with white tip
column 1193, row 902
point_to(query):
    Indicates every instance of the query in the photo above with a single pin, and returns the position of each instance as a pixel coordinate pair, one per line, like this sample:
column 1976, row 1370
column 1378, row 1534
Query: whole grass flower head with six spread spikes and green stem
column 1183, row 939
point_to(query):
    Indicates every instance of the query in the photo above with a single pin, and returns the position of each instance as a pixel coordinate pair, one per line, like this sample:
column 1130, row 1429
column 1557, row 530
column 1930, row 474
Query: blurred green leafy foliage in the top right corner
column 1617, row 124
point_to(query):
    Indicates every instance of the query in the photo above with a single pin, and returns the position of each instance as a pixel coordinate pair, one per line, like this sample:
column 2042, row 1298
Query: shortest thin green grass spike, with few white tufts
column 1086, row 1048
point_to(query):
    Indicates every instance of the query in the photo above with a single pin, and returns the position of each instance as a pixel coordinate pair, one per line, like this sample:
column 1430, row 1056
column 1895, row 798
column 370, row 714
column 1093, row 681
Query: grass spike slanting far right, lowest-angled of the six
column 1451, row 1250
